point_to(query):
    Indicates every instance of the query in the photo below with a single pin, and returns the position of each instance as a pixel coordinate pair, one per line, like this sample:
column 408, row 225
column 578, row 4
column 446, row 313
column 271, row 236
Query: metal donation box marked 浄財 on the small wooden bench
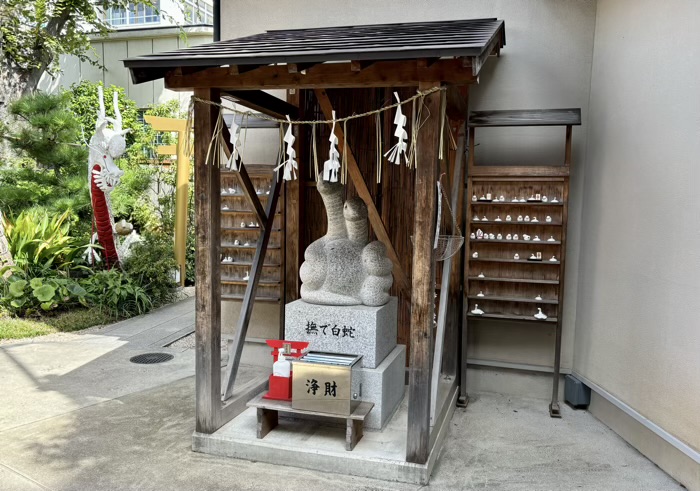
column 326, row 383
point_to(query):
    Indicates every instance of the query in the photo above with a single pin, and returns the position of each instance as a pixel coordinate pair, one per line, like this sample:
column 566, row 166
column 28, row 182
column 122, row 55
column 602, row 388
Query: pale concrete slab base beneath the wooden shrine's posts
column 306, row 444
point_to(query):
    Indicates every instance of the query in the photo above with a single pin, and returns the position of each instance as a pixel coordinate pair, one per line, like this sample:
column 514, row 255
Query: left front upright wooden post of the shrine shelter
column 208, row 286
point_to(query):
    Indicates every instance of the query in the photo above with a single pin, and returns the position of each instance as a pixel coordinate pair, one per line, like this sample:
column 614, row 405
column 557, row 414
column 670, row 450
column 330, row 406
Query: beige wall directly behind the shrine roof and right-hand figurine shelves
column 546, row 63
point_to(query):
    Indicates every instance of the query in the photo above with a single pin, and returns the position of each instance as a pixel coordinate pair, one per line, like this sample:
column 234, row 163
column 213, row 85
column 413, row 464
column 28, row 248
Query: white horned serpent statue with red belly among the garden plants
column 106, row 145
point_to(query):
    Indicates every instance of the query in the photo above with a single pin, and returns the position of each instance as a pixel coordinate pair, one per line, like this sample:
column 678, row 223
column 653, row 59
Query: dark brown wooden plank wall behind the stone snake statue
column 393, row 197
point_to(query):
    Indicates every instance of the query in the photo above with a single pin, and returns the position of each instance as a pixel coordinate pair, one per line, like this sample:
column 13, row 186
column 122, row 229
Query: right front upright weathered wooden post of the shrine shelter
column 423, row 274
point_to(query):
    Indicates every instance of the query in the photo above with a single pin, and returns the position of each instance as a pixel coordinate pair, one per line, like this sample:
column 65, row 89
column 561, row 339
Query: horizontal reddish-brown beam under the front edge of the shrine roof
column 327, row 75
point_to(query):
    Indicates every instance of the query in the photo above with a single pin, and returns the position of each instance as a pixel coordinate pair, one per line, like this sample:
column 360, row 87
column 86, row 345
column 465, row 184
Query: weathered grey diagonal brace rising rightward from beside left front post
column 236, row 346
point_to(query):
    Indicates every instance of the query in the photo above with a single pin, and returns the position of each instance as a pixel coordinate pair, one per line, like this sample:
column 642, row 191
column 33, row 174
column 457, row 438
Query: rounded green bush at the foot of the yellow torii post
column 151, row 265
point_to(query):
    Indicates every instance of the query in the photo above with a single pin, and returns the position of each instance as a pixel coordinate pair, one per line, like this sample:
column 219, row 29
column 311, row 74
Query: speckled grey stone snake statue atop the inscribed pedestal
column 341, row 268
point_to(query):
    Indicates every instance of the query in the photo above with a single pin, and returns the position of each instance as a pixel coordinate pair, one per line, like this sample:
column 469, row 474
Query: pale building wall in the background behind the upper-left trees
column 125, row 43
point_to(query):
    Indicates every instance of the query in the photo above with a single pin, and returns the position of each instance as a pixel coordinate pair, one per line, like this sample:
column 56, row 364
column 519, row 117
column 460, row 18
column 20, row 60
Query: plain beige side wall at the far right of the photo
column 637, row 331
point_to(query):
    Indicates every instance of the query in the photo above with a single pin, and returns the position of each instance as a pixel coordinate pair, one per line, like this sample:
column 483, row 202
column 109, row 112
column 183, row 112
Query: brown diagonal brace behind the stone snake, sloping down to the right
column 375, row 218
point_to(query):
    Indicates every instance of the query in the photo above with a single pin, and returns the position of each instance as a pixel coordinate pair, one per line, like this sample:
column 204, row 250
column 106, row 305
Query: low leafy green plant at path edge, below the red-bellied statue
column 117, row 295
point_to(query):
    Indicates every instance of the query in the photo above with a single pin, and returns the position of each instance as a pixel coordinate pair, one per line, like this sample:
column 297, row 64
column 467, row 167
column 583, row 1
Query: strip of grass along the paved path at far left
column 74, row 320
